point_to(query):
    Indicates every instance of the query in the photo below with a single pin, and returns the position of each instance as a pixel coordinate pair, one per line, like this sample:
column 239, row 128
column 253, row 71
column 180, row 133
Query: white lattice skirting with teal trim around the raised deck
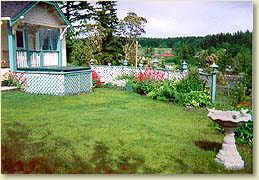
column 58, row 83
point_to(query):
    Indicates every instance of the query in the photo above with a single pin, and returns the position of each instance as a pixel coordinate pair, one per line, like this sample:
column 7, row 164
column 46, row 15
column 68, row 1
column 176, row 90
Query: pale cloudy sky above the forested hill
column 174, row 18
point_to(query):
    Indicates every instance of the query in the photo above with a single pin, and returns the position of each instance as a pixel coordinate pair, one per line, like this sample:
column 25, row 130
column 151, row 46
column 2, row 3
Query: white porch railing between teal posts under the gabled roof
column 36, row 58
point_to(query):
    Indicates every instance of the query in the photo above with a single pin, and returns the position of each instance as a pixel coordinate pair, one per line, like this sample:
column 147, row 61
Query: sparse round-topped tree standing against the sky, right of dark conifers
column 132, row 26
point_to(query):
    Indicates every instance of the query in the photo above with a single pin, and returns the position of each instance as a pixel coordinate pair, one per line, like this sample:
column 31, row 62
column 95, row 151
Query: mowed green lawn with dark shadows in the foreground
column 108, row 131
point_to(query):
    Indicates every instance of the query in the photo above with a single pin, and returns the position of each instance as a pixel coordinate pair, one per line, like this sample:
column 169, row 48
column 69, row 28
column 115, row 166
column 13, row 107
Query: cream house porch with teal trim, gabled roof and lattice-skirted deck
column 33, row 42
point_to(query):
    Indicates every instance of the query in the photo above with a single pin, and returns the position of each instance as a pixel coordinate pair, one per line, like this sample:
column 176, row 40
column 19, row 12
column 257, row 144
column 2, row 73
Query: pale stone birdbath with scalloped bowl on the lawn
column 228, row 155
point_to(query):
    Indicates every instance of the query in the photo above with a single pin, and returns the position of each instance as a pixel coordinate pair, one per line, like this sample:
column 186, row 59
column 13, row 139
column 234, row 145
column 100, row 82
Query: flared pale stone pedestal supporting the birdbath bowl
column 228, row 155
